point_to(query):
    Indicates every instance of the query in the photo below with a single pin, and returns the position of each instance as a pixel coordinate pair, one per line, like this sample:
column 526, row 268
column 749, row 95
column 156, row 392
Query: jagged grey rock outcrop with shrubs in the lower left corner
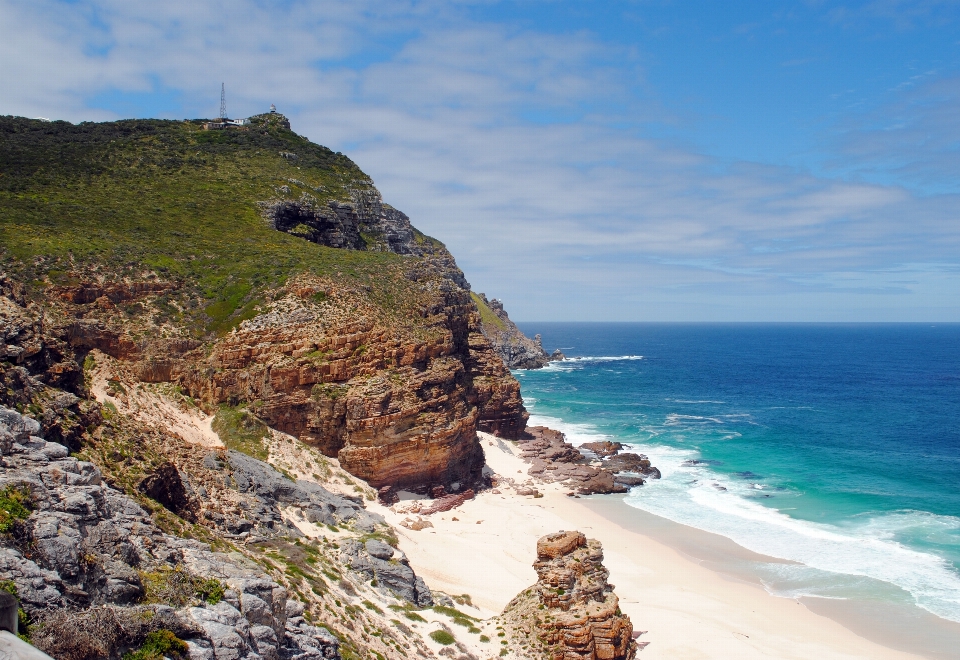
column 82, row 557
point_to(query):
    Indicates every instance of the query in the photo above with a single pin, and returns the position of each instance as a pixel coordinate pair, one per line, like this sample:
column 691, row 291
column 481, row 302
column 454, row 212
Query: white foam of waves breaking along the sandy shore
column 700, row 497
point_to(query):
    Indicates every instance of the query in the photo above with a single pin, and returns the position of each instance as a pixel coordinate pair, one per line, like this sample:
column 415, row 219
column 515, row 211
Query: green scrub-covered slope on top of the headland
column 121, row 199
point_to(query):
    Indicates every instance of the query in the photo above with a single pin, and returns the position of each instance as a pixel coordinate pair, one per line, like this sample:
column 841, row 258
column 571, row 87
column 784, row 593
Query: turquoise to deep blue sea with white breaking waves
column 835, row 446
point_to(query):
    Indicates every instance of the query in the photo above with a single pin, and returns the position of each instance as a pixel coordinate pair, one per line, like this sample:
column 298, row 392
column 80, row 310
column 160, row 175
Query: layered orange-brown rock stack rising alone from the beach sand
column 571, row 613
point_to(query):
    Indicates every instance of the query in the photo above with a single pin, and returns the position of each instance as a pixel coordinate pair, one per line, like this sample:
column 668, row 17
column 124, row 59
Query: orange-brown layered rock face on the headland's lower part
column 396, row 407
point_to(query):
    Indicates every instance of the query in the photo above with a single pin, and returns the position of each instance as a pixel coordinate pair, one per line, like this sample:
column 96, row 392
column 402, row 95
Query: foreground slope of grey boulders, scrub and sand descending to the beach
column 211, row 548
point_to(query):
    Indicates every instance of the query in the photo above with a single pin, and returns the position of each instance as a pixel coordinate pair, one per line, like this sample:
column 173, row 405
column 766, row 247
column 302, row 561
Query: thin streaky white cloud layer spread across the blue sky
column 521, row 150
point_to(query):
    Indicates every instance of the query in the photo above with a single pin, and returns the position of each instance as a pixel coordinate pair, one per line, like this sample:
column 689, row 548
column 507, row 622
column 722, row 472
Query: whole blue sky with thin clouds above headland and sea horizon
column 635, row 160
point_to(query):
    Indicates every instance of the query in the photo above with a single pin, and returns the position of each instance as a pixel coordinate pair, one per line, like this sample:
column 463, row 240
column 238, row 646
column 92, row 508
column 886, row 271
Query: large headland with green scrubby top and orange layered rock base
column 254, row 271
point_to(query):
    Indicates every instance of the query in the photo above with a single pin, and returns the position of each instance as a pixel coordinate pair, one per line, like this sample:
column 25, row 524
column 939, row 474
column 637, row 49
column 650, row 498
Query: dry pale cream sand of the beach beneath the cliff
column 485, row 548
